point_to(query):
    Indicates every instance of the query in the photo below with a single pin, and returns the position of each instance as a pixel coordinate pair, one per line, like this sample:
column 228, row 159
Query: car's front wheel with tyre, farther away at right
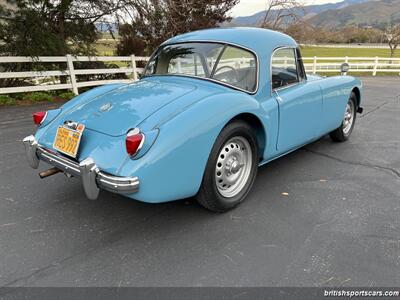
column 343, row 133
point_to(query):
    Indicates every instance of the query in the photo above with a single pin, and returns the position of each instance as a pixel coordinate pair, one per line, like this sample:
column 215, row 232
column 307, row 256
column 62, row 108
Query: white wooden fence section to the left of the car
column 70, row 71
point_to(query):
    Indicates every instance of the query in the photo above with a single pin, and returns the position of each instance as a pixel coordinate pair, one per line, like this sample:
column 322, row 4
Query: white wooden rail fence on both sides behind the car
column 372, row 65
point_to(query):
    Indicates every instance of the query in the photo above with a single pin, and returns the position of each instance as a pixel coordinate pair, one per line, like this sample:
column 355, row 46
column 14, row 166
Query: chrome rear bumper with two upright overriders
column 93, row 178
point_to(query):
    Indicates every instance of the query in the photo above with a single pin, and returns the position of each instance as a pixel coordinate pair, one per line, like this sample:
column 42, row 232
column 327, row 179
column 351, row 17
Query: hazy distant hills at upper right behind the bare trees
column 348, row 12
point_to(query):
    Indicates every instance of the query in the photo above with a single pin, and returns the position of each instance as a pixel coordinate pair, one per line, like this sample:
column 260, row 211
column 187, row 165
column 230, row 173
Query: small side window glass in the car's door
column 284, row 68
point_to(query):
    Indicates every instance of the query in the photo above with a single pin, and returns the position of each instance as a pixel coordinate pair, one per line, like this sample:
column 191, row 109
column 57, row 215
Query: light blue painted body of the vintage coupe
column 181, row 118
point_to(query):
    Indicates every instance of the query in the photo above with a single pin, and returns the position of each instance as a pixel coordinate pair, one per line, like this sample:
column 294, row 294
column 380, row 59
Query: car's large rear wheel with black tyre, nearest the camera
column 231, row 168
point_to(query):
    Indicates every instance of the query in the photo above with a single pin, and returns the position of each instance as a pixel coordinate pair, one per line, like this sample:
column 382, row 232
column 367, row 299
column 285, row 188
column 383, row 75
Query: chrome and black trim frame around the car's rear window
column 211, row 79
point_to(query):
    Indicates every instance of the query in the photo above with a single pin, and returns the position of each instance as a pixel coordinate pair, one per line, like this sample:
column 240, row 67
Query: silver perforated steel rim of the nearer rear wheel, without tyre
column 233, row 167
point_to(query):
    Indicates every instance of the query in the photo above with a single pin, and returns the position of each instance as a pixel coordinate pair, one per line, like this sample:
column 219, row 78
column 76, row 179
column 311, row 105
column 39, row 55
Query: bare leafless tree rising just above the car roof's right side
column 281, row 13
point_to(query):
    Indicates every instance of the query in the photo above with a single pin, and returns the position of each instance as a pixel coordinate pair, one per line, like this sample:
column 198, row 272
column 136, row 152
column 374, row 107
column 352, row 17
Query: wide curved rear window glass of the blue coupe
column 227, row 64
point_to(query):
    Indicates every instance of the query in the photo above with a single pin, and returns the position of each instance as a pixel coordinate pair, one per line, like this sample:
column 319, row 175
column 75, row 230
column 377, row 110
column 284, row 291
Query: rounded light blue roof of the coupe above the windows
column 257, row 39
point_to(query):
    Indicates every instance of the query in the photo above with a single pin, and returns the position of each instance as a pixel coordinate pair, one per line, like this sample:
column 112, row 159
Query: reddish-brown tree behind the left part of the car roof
column 154, row 21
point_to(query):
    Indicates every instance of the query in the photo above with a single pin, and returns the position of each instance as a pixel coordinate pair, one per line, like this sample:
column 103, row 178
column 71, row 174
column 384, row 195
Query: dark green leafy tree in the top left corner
column 52, row 27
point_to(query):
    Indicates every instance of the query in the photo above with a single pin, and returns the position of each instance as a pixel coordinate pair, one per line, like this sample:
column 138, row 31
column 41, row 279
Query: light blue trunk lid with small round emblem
column 119, row 110
